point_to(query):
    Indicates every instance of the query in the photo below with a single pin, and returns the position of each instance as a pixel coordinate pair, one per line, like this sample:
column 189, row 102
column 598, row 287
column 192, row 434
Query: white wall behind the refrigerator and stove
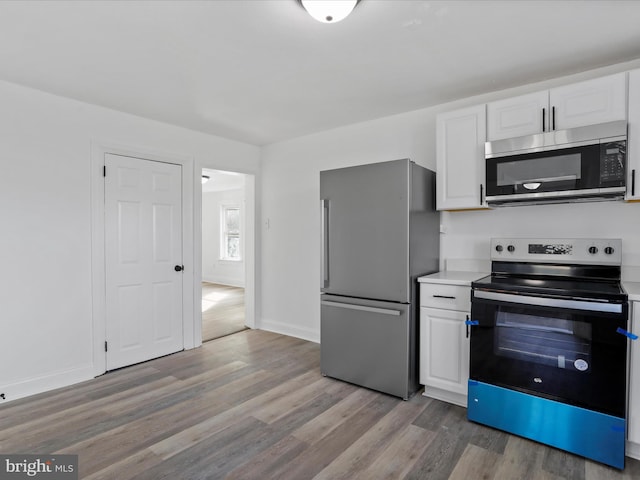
column 291, row 214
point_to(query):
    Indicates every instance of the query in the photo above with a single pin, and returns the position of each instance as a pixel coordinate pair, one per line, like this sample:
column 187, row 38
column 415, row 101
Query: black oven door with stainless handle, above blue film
column 562, row 349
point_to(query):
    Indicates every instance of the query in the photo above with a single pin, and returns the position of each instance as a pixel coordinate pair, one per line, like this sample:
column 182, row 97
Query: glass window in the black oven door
column 556, row 341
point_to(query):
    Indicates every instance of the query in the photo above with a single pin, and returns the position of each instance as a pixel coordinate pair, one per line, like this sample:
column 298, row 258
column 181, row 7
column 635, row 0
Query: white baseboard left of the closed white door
column 33, row 386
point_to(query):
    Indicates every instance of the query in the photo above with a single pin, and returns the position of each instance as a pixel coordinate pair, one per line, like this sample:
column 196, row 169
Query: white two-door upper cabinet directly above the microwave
column 586, row 103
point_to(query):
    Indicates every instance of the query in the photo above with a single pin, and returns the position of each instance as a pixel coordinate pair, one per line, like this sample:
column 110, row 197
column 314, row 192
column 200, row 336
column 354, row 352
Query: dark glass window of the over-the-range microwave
column 557, row 168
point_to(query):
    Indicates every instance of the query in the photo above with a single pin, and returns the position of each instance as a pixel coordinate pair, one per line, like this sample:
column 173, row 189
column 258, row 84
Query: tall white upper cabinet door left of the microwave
column 460, row 137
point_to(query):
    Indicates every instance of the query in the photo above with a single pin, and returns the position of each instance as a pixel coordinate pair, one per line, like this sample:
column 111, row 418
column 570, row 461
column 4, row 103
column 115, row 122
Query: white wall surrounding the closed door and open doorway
column 45, row 206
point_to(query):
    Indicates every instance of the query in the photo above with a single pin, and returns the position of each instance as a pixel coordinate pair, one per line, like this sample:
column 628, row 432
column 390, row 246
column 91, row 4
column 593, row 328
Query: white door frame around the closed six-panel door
column 191, row 331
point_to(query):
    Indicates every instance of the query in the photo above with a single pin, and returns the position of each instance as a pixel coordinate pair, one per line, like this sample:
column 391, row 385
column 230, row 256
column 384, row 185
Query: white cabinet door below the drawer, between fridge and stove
column 444, row 350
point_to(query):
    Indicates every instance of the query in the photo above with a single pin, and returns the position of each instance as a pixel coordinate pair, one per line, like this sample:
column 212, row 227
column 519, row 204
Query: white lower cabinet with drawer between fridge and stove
column 444, row 345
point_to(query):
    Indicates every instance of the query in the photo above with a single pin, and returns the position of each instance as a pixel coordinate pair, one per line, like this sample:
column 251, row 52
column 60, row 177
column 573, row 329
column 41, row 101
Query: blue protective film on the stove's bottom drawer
column 594, row 435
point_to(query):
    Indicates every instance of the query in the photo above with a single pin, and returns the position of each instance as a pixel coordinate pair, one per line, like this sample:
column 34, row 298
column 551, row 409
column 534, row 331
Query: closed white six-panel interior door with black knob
column 143, row 248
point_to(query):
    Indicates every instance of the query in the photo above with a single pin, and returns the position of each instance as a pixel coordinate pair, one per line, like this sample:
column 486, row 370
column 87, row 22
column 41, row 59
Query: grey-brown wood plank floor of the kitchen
column 254, row 405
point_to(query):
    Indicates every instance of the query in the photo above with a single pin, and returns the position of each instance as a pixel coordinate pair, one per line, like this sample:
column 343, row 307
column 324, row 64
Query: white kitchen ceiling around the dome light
column 262, row 71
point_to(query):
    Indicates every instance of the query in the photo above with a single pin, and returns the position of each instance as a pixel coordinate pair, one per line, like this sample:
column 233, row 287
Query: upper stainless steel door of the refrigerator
column 367, row 227
